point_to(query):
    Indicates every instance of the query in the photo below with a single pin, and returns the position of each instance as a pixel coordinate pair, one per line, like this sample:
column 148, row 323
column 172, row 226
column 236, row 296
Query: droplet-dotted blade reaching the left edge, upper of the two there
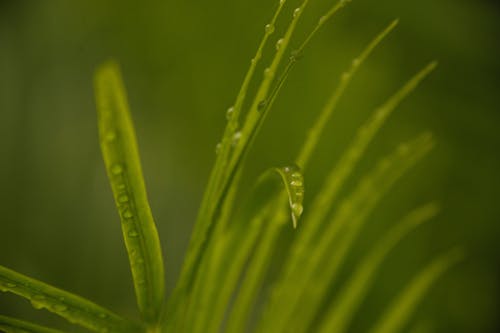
column 74, row 308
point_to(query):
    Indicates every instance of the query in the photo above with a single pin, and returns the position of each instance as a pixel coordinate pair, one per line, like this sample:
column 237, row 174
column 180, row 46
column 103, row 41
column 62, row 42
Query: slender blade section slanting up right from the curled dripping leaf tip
column 316, row 131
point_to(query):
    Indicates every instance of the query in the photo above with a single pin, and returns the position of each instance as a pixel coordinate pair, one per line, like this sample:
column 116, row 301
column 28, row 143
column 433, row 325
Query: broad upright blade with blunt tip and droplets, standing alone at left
column 121, row 156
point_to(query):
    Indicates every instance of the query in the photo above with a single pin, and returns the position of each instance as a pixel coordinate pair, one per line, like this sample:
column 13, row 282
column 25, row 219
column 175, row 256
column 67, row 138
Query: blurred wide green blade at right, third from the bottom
column 336, row 243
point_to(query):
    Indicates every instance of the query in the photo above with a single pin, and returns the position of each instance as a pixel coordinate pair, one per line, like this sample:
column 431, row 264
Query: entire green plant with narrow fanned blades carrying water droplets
column 232, row 246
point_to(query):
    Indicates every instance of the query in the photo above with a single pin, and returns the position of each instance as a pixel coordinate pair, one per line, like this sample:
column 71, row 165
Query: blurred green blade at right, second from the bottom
column 342, row 309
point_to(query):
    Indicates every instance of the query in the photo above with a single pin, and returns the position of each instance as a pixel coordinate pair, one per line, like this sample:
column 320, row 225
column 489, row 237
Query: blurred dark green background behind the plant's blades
column 183, row 62
